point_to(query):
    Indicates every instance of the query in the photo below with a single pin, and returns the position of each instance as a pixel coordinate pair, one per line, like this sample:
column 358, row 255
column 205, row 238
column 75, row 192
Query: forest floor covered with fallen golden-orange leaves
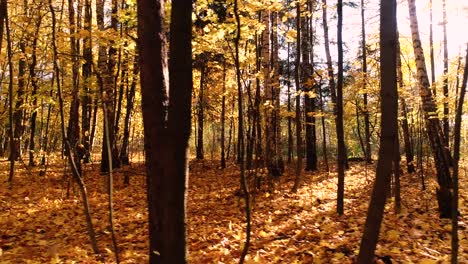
column 40, row 224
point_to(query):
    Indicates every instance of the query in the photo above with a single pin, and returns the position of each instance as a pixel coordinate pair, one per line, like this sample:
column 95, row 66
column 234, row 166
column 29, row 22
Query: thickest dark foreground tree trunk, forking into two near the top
column 166, row 136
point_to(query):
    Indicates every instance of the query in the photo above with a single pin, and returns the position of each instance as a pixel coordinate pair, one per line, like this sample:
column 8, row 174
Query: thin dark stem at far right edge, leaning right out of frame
column 456, row 158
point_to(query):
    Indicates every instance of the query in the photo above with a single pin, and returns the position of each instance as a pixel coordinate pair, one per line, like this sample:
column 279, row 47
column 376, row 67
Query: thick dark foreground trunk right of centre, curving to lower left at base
column 389, row 131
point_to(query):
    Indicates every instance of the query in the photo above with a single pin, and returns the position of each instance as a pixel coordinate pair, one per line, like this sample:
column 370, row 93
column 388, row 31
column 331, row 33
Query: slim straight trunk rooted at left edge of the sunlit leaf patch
column 298, row 117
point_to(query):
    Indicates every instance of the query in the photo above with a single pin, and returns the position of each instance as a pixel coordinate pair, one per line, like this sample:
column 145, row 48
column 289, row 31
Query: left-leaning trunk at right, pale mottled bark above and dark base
column 441, row 154
